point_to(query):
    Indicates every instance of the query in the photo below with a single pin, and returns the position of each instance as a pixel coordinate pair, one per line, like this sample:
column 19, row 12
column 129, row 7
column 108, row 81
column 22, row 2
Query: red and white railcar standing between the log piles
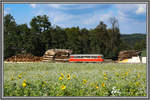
column 86, row 58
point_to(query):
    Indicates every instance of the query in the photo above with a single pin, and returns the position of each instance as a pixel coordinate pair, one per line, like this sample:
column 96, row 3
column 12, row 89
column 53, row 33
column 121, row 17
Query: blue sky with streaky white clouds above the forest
column 131, row 17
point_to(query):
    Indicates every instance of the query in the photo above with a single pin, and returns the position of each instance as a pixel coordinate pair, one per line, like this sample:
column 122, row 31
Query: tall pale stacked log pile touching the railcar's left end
column 56, row 55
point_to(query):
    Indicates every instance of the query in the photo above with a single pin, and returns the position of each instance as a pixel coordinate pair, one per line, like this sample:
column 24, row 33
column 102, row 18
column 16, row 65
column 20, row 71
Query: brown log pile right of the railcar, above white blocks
column 126, row 54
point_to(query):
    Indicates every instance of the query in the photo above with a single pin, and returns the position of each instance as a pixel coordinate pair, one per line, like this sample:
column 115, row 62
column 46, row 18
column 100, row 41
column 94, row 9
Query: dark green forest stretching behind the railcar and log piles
column 41, row 35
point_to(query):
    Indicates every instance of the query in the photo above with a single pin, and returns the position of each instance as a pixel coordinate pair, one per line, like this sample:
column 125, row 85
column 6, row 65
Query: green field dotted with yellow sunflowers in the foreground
column 74, row 79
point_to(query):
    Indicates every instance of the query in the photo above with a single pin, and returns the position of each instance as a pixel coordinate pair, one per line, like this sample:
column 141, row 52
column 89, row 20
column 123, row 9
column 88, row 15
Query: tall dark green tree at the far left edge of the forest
column 10, row 43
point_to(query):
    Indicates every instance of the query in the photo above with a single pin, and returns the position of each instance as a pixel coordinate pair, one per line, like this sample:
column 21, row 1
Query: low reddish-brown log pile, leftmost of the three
column 24, row 58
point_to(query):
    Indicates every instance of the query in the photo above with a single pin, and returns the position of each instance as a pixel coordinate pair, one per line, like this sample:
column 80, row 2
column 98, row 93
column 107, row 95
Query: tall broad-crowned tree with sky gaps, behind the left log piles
column 40, row 35
